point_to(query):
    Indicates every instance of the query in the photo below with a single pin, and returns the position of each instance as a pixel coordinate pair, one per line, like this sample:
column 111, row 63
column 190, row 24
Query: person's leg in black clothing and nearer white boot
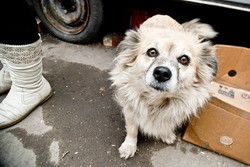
column 21, row 54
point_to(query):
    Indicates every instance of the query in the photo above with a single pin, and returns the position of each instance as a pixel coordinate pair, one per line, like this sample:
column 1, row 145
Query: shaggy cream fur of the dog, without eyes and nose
column 157, row 109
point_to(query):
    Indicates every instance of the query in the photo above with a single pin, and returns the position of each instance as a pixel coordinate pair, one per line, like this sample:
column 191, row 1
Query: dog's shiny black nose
column 162, row 74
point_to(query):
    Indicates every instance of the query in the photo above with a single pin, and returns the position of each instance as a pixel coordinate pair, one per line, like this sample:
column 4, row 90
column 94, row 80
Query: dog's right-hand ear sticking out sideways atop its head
column 204, row 31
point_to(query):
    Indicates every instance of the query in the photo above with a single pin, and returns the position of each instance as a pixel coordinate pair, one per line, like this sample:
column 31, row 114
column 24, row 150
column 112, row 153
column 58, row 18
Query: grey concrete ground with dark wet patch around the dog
column 81, row 125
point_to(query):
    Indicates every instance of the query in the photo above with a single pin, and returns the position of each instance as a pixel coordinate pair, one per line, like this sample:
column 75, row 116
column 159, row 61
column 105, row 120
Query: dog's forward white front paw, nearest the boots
column 127, row 150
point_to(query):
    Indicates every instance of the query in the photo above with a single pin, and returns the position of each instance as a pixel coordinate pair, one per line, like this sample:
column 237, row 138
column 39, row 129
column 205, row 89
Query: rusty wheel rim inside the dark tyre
column 67, row 16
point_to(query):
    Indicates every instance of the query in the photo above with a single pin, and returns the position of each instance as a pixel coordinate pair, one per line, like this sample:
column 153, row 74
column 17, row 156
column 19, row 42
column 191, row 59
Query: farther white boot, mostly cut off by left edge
column 5, row 82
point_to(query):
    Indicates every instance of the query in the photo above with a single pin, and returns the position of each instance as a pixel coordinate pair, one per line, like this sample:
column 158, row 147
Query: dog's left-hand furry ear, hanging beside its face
column 127, row 49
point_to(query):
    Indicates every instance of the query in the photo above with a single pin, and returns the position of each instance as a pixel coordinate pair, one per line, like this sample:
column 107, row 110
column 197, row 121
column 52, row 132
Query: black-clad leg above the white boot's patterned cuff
column 18, row 25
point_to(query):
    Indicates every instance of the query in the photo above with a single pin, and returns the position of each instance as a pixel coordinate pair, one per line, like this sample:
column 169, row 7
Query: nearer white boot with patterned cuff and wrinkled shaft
column 29, row 88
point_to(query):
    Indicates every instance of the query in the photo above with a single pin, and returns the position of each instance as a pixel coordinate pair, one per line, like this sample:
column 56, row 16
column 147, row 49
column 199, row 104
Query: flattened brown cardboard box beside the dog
column 224, row 126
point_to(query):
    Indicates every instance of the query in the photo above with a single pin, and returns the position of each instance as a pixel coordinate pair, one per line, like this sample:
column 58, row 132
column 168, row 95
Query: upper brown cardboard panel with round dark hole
column 234, row 58
